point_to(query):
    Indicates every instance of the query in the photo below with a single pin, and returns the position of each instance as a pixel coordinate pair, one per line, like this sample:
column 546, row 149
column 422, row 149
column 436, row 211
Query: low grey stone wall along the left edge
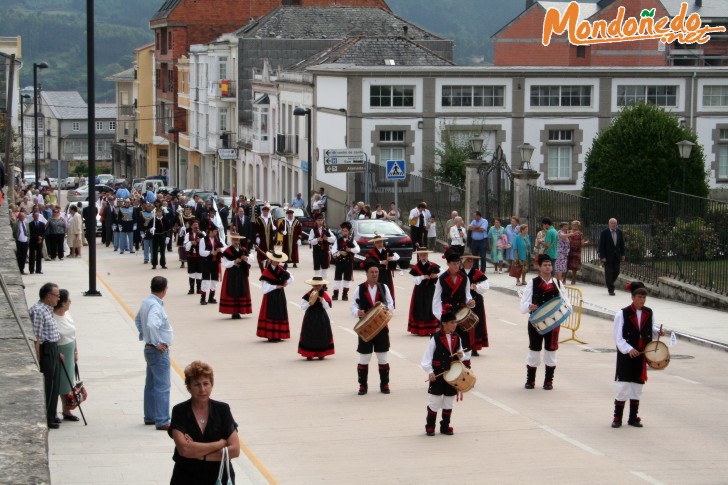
column 23, row 431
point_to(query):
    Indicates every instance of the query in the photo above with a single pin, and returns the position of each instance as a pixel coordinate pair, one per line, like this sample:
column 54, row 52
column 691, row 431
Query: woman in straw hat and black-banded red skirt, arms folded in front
column 273, row 317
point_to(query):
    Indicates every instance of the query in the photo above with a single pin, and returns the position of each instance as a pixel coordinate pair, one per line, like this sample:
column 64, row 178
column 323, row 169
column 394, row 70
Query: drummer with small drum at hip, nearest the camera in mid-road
column 442, row 349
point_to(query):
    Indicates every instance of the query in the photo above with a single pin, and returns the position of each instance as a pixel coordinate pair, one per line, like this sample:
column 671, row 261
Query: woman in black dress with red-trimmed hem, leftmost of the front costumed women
column 235, row 293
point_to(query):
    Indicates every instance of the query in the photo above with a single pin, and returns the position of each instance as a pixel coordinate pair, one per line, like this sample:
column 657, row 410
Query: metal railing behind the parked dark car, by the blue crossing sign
column 441, row 198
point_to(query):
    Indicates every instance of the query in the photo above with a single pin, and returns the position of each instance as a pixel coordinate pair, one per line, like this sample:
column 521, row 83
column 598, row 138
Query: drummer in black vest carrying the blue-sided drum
column 538, row 291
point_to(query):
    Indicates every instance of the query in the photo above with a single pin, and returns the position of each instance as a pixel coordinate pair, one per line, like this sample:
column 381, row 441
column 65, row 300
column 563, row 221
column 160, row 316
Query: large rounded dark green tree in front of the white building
column 637, row 155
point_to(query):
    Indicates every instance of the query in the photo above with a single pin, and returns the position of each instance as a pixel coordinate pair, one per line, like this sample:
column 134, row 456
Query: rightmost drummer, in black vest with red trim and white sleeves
column 634, row 328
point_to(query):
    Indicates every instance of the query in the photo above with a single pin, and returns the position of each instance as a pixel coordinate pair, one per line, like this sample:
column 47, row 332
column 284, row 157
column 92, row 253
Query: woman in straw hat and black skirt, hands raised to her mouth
column 317, row 339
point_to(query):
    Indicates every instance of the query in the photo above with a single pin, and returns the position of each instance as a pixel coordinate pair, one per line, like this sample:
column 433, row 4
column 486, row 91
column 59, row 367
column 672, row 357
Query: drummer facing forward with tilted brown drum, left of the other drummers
column 364, row 297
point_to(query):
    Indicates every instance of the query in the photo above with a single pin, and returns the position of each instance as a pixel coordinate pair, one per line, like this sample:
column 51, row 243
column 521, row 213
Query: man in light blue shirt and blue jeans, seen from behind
column 154, row 329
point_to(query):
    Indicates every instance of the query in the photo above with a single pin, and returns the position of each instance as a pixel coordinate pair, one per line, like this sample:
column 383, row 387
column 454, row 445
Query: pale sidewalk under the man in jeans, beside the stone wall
column 115, row 447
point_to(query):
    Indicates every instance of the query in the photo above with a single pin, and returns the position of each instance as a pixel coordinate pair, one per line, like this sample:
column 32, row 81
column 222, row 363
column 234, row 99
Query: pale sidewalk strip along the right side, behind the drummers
column 704, row 326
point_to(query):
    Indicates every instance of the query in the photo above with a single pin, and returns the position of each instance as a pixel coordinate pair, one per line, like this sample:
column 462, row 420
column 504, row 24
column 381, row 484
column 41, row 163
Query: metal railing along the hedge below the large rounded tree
column 685, row 238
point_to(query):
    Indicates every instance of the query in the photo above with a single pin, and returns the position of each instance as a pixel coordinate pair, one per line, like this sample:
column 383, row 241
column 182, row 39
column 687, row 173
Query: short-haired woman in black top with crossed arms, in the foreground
column 201, row 428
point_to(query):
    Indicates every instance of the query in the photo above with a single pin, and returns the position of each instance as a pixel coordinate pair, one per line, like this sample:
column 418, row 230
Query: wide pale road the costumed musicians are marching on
column 305, row 422
